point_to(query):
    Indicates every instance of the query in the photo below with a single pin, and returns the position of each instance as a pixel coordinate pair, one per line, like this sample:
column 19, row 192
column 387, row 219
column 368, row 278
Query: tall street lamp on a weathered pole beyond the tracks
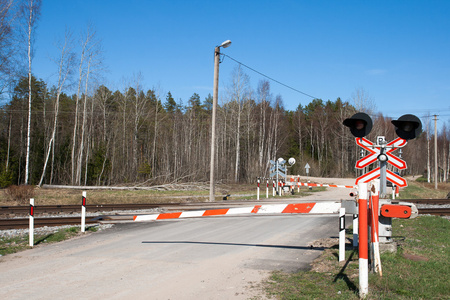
column 213, row 118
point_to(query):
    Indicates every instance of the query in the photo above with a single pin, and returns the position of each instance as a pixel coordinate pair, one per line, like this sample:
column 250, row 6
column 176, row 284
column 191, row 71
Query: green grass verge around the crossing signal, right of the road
column 420, row 269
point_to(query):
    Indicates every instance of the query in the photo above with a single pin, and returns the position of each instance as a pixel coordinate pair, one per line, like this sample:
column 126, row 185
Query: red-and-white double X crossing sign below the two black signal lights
column 372, row 157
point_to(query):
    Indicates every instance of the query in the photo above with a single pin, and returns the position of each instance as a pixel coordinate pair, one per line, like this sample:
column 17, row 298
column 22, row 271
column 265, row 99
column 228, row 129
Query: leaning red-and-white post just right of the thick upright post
column 375, row 204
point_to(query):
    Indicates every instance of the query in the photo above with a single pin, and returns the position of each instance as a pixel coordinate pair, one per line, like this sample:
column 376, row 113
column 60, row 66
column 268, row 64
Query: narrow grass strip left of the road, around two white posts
column 20, row 243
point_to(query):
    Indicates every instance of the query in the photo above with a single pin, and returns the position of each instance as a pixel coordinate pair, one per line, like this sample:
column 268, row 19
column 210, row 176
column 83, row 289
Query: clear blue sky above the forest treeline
column 397, row 52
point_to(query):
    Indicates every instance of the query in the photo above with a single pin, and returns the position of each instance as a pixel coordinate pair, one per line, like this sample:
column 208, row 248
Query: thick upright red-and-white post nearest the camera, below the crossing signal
column 363, row 241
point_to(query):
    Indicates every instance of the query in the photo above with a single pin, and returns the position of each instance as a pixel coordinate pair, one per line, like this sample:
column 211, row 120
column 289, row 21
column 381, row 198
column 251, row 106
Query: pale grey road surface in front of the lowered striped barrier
column 202, row 258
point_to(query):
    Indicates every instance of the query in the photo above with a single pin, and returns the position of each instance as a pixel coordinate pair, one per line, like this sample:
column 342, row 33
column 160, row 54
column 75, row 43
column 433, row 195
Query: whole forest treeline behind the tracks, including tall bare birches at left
column 77, row 131
